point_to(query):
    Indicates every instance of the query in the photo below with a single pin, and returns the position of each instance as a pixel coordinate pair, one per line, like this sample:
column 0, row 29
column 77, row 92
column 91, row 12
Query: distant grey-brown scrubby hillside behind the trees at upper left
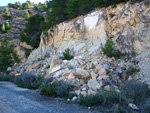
column 16, row 21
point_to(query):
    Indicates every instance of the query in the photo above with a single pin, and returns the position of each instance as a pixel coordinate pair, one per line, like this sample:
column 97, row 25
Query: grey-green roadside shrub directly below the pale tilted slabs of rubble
column 54, row 89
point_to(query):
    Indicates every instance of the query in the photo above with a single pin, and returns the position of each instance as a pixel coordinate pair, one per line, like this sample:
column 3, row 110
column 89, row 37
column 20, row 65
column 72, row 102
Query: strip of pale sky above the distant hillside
column 5, row 2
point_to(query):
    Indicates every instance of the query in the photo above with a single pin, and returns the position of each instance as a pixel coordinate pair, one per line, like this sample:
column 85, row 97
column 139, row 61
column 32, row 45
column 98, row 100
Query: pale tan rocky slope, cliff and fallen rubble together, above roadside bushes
column 127, row 25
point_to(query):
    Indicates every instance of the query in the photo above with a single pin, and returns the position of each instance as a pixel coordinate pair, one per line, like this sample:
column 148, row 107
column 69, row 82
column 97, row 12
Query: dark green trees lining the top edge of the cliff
column 67, row 9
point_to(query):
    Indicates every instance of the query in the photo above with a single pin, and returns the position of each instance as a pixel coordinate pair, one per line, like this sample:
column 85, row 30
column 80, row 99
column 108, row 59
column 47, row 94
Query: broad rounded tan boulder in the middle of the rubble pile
column 81, row 74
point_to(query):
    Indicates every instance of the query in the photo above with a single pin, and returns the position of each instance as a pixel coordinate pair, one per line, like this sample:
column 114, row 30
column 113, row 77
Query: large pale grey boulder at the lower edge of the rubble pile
column 93, row 84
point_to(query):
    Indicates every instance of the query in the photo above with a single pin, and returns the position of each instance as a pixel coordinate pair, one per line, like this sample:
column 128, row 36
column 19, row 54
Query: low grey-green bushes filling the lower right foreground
column 131, row 92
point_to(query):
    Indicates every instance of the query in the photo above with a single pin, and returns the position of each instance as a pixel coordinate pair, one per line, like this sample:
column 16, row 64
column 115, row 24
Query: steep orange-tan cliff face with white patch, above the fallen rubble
column 128, row 23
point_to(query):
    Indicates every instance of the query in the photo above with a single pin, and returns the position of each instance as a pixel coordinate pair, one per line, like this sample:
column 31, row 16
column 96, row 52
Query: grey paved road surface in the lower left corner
column 21, row 100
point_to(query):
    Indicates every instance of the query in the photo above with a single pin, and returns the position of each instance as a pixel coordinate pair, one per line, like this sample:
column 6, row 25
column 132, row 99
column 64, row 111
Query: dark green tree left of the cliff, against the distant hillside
column 31, row 34
